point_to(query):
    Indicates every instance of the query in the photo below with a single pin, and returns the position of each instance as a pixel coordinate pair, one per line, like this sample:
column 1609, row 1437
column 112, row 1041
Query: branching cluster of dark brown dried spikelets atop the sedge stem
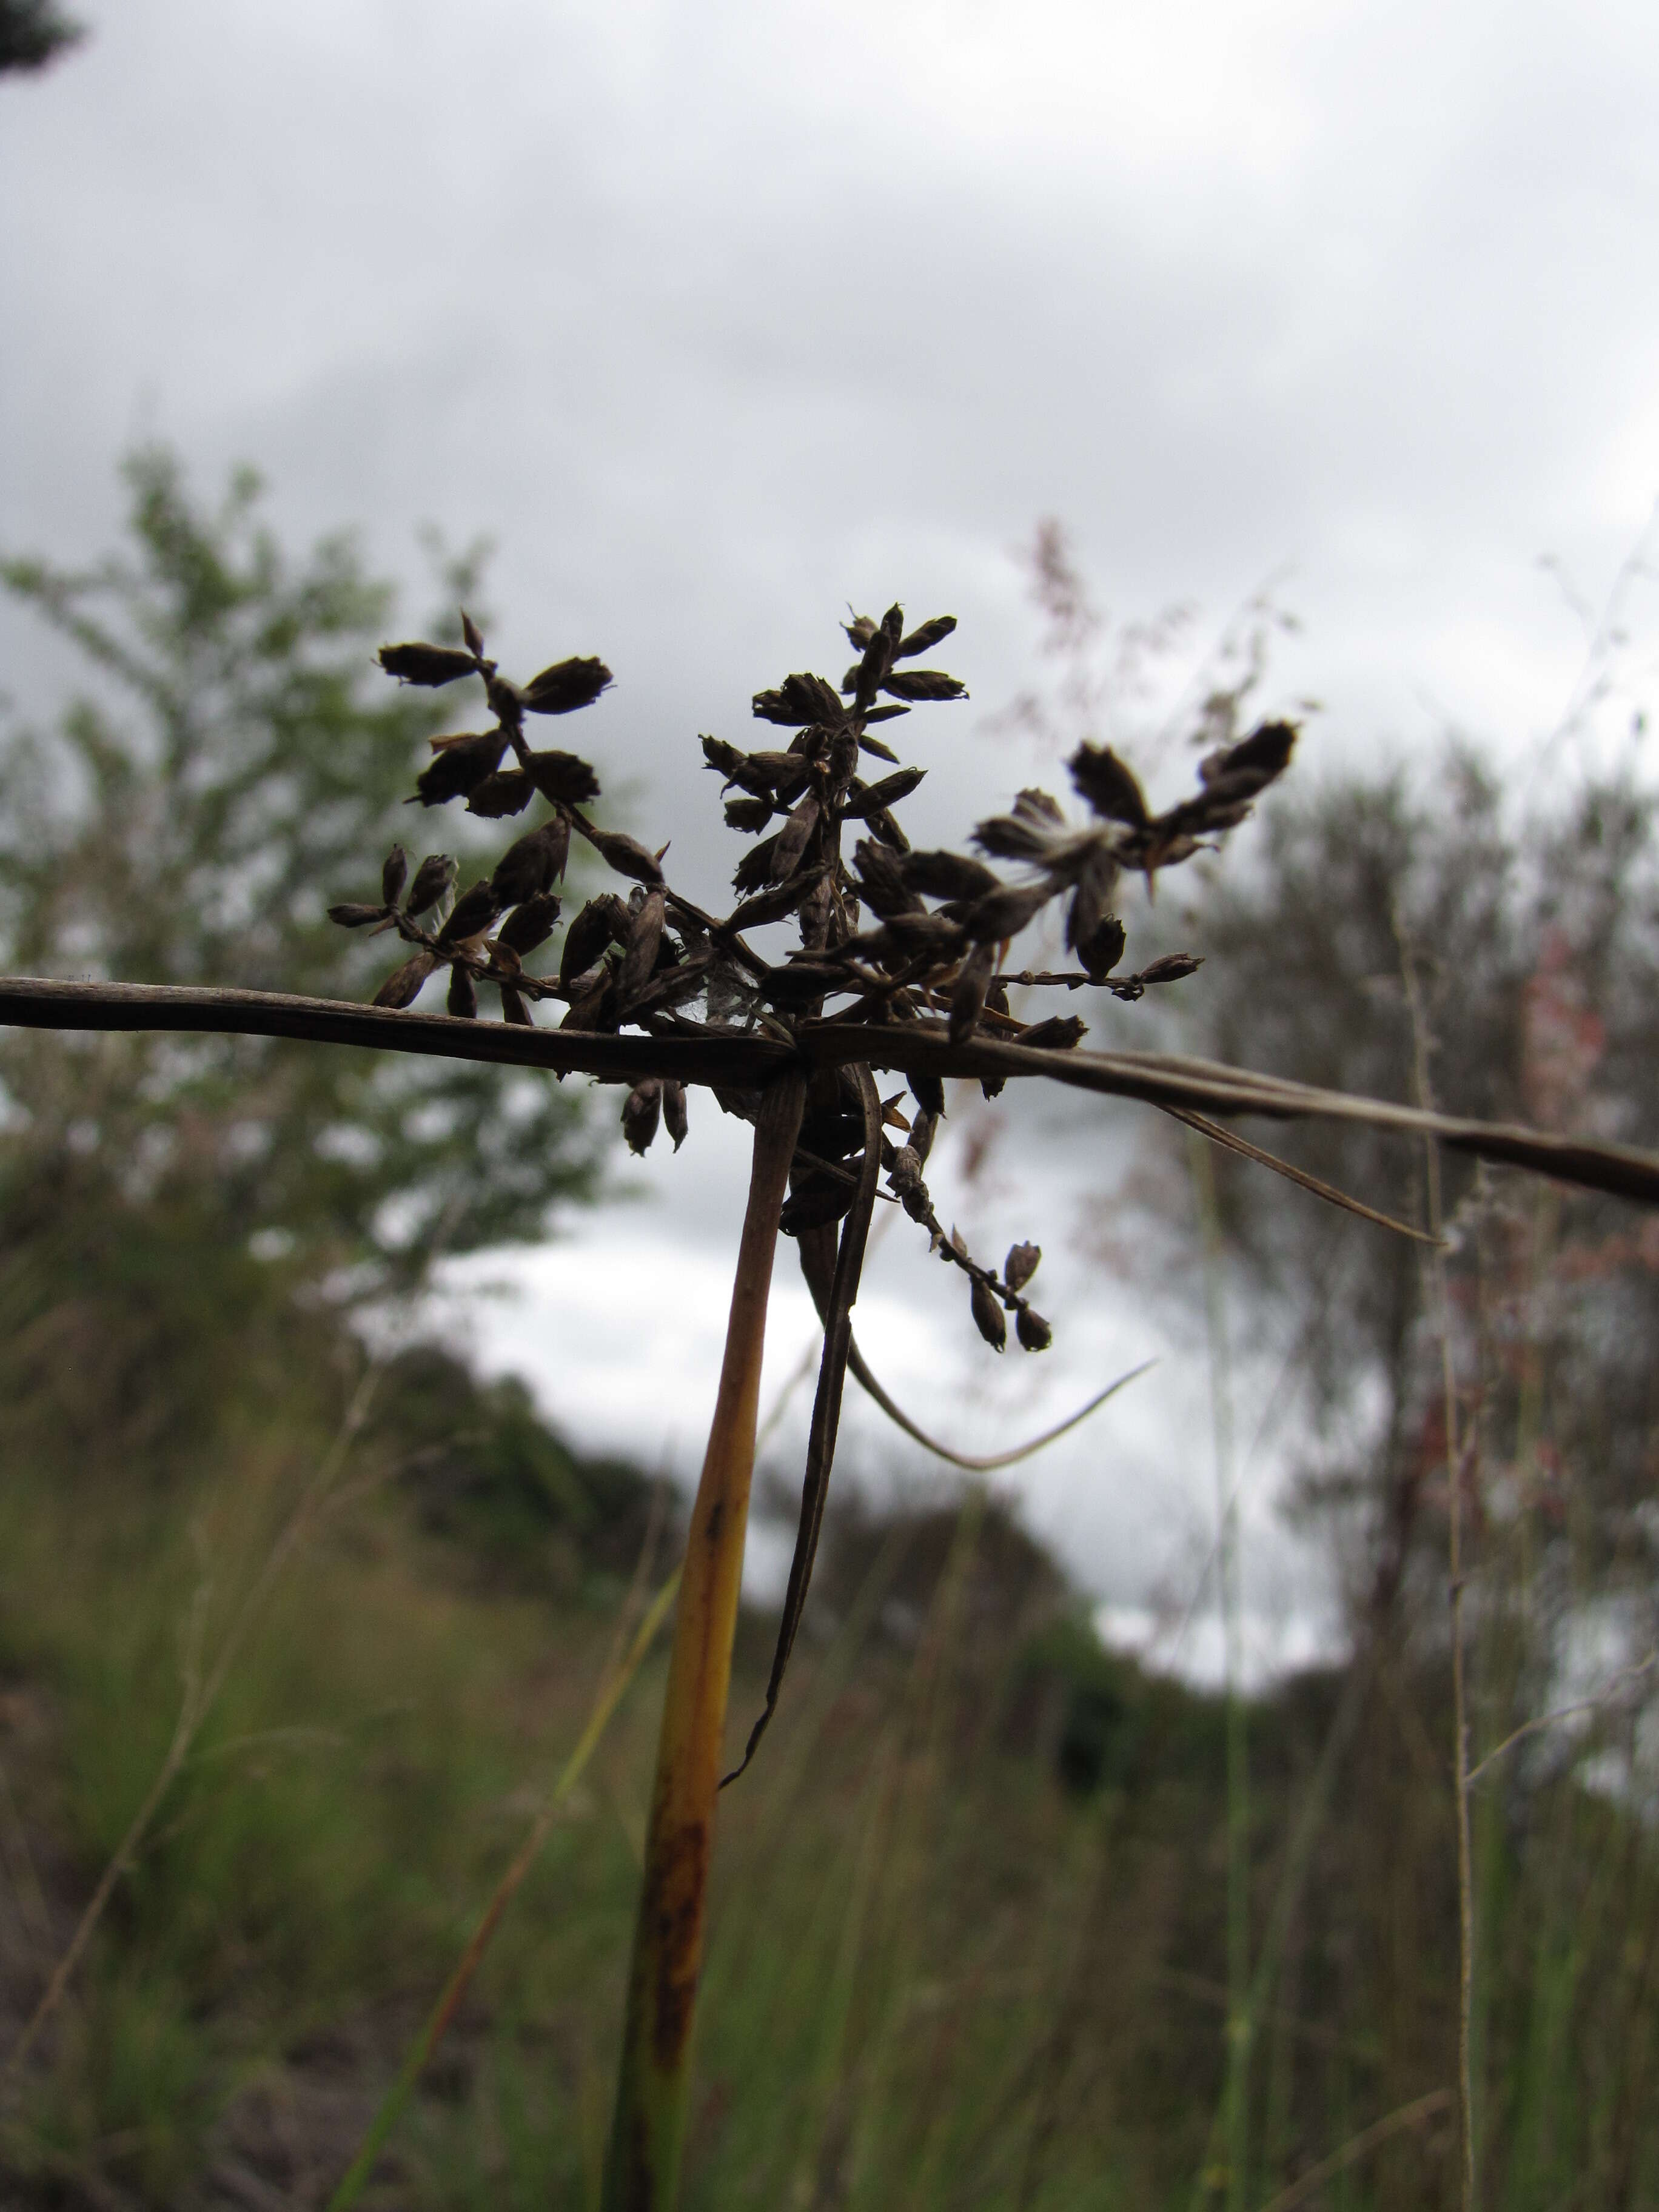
column 886, row 937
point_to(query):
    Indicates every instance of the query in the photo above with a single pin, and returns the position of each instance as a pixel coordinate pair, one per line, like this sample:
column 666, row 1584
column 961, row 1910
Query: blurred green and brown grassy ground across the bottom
column 970, row 1937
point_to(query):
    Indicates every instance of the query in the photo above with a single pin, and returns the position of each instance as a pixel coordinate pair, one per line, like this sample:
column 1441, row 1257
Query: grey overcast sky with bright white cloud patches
column 718, row 317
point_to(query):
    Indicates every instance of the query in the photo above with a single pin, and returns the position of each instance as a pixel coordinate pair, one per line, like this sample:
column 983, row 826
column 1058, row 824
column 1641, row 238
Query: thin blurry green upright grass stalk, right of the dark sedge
column 1235, row 2096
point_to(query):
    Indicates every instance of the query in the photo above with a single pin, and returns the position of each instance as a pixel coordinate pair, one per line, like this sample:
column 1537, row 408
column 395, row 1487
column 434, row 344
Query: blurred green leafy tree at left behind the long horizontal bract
column 189, row 817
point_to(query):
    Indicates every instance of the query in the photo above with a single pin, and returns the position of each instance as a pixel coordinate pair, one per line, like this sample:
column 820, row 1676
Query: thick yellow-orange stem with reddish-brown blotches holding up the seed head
column 643, row 2169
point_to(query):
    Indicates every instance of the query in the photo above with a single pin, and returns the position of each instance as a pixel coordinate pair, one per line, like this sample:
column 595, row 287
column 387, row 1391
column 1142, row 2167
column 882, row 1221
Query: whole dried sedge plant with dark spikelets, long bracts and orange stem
column 901, row 963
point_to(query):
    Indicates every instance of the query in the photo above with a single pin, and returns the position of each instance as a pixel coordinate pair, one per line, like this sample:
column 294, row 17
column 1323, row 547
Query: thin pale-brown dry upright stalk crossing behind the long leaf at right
column 1437, row 1262
